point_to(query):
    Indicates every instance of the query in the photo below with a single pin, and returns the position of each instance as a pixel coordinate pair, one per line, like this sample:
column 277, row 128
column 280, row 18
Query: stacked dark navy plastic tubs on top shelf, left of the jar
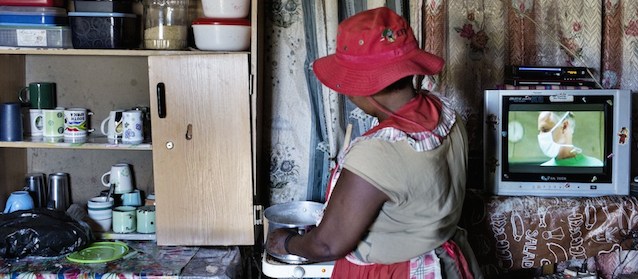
column 104, row 24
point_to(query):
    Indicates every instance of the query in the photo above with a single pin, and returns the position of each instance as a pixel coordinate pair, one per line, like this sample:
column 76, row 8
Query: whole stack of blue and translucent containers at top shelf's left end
column 34, row 23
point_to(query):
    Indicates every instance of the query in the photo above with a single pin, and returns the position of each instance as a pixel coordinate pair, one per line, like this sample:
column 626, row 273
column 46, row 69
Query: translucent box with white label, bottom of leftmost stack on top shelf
column 36, row 36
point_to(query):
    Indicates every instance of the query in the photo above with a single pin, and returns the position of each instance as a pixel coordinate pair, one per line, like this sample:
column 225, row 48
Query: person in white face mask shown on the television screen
column 556, row 141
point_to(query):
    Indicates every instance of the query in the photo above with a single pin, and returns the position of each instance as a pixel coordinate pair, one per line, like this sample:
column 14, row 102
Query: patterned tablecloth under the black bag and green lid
column 150, row 261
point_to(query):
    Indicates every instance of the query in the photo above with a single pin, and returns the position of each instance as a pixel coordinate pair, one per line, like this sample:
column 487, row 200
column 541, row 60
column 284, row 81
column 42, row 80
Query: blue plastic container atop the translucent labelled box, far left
column 13, row 15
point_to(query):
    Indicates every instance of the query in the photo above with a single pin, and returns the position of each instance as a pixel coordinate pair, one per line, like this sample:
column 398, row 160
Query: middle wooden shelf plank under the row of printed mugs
column 99, row 143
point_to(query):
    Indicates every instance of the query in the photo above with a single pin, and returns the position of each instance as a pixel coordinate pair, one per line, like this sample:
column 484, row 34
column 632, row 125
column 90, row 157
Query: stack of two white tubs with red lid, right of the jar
column 224, row 27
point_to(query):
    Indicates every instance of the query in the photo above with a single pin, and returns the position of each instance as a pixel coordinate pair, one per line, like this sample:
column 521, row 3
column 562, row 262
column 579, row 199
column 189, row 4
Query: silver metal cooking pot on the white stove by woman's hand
column 301, row 216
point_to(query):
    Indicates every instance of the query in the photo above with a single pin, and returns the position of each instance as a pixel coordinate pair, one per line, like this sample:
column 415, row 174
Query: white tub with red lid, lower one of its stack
column 222, row 34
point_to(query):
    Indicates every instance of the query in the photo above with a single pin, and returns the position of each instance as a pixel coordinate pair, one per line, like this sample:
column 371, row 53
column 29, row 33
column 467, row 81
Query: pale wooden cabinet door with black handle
column 202, row 149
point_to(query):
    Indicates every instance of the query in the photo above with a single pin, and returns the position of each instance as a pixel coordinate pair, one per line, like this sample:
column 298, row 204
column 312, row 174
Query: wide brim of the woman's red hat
column 361, row 79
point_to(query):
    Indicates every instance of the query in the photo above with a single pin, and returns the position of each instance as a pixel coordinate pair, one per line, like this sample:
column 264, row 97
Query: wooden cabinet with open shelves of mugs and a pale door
column 202, row 160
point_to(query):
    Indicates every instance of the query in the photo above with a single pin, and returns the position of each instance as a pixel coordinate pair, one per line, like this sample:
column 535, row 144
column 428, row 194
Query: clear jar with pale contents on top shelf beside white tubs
column 166, row 24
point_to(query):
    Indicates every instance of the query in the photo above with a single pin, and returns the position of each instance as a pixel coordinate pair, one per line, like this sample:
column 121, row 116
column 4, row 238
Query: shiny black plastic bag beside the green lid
column 41, row 232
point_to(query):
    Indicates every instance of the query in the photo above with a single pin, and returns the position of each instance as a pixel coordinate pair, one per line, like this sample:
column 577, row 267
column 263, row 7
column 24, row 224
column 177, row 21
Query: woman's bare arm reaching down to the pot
column 353, row 207
